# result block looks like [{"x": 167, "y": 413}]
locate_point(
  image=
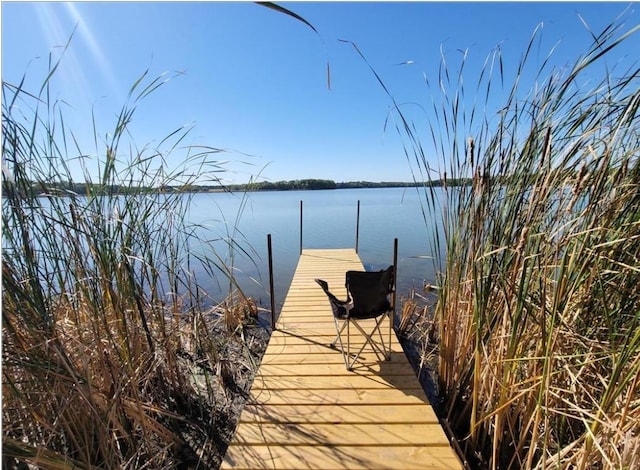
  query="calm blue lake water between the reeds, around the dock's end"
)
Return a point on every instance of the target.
[{"x": 329, "y": 221}]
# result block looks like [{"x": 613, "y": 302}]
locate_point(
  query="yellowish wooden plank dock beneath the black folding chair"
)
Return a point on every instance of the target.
[{"x": 307, "y": 411}]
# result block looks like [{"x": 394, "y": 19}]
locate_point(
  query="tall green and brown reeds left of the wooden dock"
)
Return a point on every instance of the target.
[{"x": 110, "y": 358}]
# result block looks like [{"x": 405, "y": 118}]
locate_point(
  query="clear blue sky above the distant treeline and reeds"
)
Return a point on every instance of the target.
[{"x": 252, "y": 81}]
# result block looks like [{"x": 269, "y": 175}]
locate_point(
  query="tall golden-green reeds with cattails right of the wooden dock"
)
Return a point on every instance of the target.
[{"x": 539, "y": 300}]
